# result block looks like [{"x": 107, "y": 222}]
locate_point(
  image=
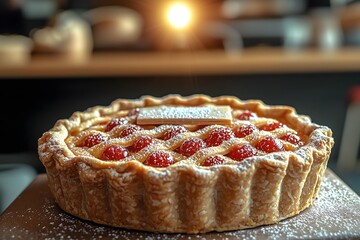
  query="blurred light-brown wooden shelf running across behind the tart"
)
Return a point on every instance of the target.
[{"x": 249, "y": 61}]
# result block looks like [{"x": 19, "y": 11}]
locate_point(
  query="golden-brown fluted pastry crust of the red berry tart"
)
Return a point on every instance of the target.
[{"x": 184, "y": 197}]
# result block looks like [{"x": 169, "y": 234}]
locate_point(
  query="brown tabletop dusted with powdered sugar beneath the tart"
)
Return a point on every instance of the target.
[{"x": 35, "y": 215}]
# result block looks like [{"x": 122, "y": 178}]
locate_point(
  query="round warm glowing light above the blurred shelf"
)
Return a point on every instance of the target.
[{"x": 179, "y": 15}]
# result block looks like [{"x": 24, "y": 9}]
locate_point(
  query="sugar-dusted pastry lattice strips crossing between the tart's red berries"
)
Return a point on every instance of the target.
[{"x": 156, "y": 132}]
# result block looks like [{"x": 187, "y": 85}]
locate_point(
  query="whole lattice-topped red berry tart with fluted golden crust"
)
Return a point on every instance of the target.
[{"x": 185, "y": 164}]
